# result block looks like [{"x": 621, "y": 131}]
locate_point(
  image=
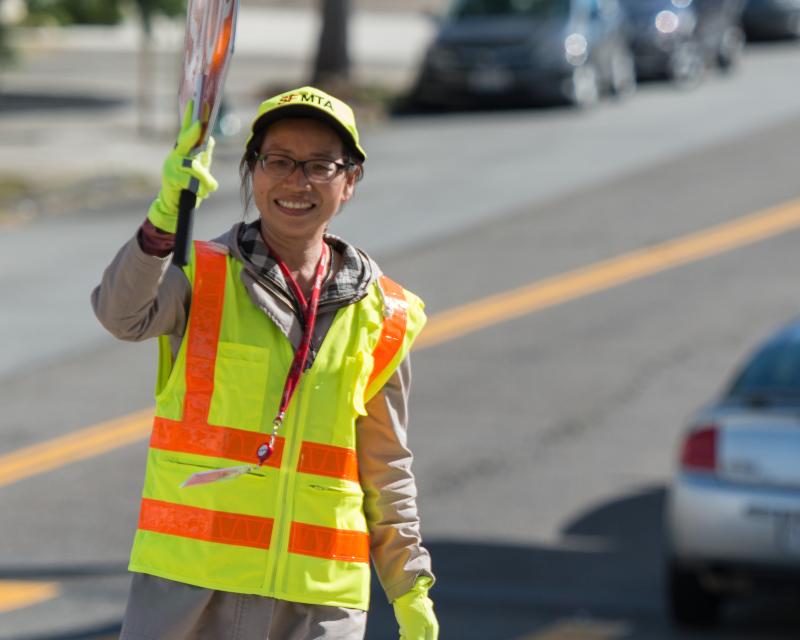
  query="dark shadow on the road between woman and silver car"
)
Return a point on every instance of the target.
[{"x": 608, "y": 569}]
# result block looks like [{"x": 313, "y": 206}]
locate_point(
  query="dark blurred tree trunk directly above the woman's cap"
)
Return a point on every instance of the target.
[{"x": 332, "y": 62}]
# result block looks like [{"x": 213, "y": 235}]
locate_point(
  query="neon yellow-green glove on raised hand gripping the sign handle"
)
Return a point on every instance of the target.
[{"x": 179, "y": 172}]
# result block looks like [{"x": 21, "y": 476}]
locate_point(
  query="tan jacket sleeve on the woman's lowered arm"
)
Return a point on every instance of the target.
[{"x": 384, "y": 461}]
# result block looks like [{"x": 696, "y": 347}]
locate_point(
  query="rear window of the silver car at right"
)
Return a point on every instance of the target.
[{"x": 774, "y": 369}]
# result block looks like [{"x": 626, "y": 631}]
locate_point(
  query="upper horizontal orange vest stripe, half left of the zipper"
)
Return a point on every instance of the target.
[{"x": 213, "y": 441}]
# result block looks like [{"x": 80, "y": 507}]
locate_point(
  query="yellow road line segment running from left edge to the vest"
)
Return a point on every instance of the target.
[{"x": 78, "y": 445}]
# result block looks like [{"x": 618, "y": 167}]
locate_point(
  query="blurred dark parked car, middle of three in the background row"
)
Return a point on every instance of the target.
[{"x": 680, "y": 39}]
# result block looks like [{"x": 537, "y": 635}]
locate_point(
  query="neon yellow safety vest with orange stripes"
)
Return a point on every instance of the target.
[{"x": 293, "y": 529}]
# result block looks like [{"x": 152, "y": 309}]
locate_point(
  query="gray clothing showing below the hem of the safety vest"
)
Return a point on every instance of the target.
[{"x": 160, "y": 609}]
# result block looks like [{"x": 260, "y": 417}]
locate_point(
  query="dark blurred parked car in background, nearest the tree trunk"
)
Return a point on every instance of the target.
[{"x": 527, "y": 50}]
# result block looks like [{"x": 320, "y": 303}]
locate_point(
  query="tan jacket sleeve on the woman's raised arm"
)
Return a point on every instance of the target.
[{"x": 142, "y": 296}]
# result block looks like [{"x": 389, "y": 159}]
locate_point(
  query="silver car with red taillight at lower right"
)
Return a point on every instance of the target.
[{"x": 733, "y": 507}]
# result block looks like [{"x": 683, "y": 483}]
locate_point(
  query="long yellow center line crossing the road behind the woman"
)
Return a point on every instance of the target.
[{"x": 452, "y": 324}]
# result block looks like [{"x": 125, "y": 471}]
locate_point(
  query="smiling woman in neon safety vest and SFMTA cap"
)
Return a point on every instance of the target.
[{"x": 283, "y": 370}]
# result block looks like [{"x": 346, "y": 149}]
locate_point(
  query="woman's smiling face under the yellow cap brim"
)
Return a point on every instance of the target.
[{"x": 293, "y": 208}]
